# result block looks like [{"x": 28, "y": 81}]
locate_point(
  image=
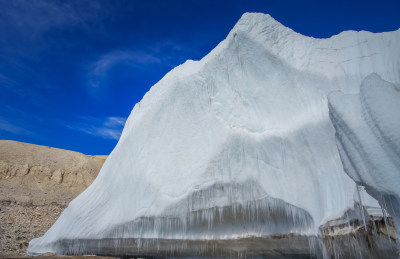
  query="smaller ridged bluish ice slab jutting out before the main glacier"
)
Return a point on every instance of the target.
[{"x": 368, "y": 138}]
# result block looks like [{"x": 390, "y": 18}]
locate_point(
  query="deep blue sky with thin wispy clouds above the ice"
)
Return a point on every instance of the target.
[{"x": 71, "y": 71}]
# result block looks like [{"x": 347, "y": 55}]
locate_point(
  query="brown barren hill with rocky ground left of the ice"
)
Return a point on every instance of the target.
[{"x": 36, "y": 184}]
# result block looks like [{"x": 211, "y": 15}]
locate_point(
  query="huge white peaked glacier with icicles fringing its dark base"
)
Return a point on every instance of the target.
[{"x": 234, "y": 155}]
